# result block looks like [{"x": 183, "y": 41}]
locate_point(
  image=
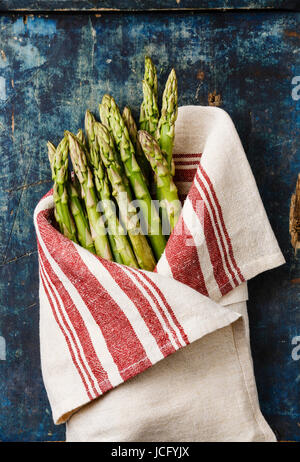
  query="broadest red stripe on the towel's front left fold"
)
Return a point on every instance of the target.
[{"x": 109, "y": 316}]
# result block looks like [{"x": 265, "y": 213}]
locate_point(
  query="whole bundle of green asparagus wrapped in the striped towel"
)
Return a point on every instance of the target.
[{"x": 110, "y": 204}]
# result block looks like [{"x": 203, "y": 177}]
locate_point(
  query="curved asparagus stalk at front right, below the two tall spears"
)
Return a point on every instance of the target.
[{"x": 166, "y": 188}]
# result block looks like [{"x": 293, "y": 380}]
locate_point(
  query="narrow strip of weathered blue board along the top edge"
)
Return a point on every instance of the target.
[{"x": 142, "y": 5}]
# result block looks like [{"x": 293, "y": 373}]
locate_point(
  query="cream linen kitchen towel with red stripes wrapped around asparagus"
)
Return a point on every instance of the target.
[{"x": 102, "y": 323}]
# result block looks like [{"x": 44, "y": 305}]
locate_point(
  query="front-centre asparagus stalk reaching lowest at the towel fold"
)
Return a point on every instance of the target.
[{"x": 128, "y": 212}]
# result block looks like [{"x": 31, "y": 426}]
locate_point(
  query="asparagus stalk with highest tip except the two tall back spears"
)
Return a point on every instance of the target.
[{"x": 112, "y": 116}]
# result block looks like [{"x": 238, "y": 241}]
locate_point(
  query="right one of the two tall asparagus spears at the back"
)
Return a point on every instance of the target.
[{"x": 166, "y": 125}]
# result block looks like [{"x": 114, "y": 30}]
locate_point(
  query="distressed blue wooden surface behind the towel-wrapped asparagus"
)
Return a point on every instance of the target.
[{"x": 54, "y": 66}]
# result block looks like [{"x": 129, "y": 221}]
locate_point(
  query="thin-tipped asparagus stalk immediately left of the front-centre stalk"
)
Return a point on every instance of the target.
[{"x": 121, "y": 248}]
